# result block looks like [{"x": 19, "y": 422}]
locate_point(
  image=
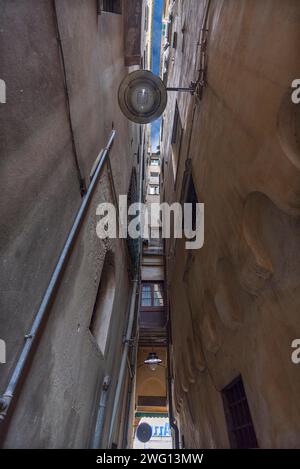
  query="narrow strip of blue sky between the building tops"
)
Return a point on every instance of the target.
[{"x": 157, "y": 30}]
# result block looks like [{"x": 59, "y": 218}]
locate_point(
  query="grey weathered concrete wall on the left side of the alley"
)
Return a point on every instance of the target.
[{"x": 56, "y": 404}]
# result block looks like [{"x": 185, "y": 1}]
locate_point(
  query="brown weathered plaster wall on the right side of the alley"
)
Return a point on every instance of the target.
[{"x": 235, "y": 303}]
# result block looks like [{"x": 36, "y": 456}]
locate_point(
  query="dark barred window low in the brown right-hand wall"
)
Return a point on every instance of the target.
[{"x": 238, "y": 417}]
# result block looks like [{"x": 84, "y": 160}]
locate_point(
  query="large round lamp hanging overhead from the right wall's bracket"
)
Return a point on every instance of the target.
[{"x": 142, "y": 96}]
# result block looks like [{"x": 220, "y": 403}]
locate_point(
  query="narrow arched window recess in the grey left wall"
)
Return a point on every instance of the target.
[{"x": 103, "y": 307}]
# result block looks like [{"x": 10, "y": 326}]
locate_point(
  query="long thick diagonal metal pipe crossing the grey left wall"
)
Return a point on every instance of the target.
[{"x": 41, "y": 313}]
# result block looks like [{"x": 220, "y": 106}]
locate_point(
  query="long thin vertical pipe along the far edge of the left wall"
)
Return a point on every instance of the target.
[{"x": 131, "y": 318}]
